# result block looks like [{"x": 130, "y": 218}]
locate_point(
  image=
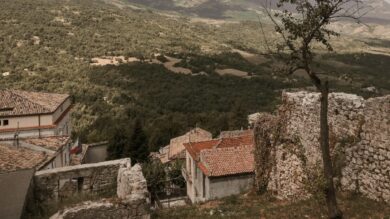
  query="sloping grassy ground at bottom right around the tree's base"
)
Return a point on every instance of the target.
[{"x": 253, "y": 206}]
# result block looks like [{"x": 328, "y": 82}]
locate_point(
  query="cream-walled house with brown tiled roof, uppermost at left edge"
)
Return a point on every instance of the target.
[{"x": 34, "y": 114}]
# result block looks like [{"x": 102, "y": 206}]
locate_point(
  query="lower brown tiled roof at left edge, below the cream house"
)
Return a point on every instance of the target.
[{"x": 12, "y": 159}]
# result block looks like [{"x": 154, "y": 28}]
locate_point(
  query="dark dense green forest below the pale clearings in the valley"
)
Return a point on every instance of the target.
[{"x": 169, "y": 104}]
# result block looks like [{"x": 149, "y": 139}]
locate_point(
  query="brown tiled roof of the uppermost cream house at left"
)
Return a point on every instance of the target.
[{"x": 16, "y": 102}]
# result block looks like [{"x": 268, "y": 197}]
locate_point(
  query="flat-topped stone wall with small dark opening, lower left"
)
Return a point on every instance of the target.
[{"x": 60, "y": 183}]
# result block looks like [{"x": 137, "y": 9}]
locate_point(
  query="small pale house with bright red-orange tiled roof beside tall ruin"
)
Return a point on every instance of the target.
[{"x": 218, "y": 168}]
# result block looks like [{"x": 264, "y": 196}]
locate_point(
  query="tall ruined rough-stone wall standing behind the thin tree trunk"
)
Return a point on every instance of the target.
[{"x": 359, "y": 143}]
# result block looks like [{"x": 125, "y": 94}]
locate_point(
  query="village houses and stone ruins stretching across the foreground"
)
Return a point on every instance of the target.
[{"x": 42, "y": 165}]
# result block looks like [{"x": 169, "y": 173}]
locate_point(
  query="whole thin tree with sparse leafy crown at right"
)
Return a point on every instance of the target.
[{"x": 301, "y": 25}]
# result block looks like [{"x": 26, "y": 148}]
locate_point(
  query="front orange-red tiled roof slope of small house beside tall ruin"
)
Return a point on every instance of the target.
[{"x": 227, "y": 161}]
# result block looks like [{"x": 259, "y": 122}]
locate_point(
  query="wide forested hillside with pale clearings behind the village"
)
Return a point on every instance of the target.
[{"x": 48, "y": 45}]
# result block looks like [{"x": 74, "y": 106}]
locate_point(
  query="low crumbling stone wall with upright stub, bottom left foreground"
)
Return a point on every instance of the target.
[{"x": 132, "y": 200}]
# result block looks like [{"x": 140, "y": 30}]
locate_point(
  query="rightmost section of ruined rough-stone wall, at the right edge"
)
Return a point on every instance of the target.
[{"x": 367, "y": 167}]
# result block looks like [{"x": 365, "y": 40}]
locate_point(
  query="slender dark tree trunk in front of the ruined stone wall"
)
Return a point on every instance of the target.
[{"x": 330, "y": 193}]
